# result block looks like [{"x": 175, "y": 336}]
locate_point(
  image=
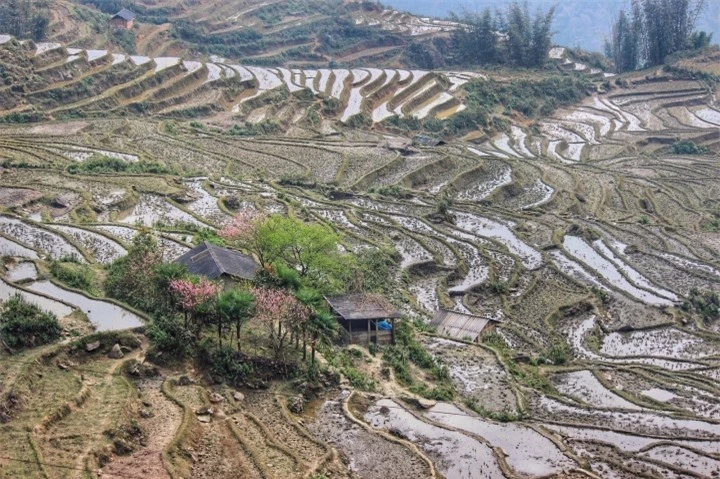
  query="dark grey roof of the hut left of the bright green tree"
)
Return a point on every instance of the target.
[{"x": 214, "y": 261}]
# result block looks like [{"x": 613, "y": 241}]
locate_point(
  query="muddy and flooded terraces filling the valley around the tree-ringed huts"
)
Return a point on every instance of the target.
[{"x": 583, "y": 235}]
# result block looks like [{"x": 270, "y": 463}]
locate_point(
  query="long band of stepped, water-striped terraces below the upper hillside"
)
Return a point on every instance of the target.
[{"x": 172, "y": 85}]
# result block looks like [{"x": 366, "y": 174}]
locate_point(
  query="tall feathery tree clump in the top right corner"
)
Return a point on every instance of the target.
[{"x": 651, "y": 30}]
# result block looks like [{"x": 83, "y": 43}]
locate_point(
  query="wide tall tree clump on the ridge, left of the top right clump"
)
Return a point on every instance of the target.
[{"x": 514, "y": 37}]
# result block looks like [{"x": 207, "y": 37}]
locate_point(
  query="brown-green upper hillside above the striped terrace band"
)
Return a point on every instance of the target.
[{"x": 262, "y": 32}]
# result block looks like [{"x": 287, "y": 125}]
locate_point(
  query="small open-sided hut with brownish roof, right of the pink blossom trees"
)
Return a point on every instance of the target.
[{"x": 365, "y": 318}]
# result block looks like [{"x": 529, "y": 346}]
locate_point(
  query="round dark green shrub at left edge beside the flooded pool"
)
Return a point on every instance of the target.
[{"x": 23, "y": 324}]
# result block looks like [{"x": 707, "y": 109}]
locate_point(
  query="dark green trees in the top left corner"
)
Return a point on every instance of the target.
[{"x": 25, "y": 19}]
